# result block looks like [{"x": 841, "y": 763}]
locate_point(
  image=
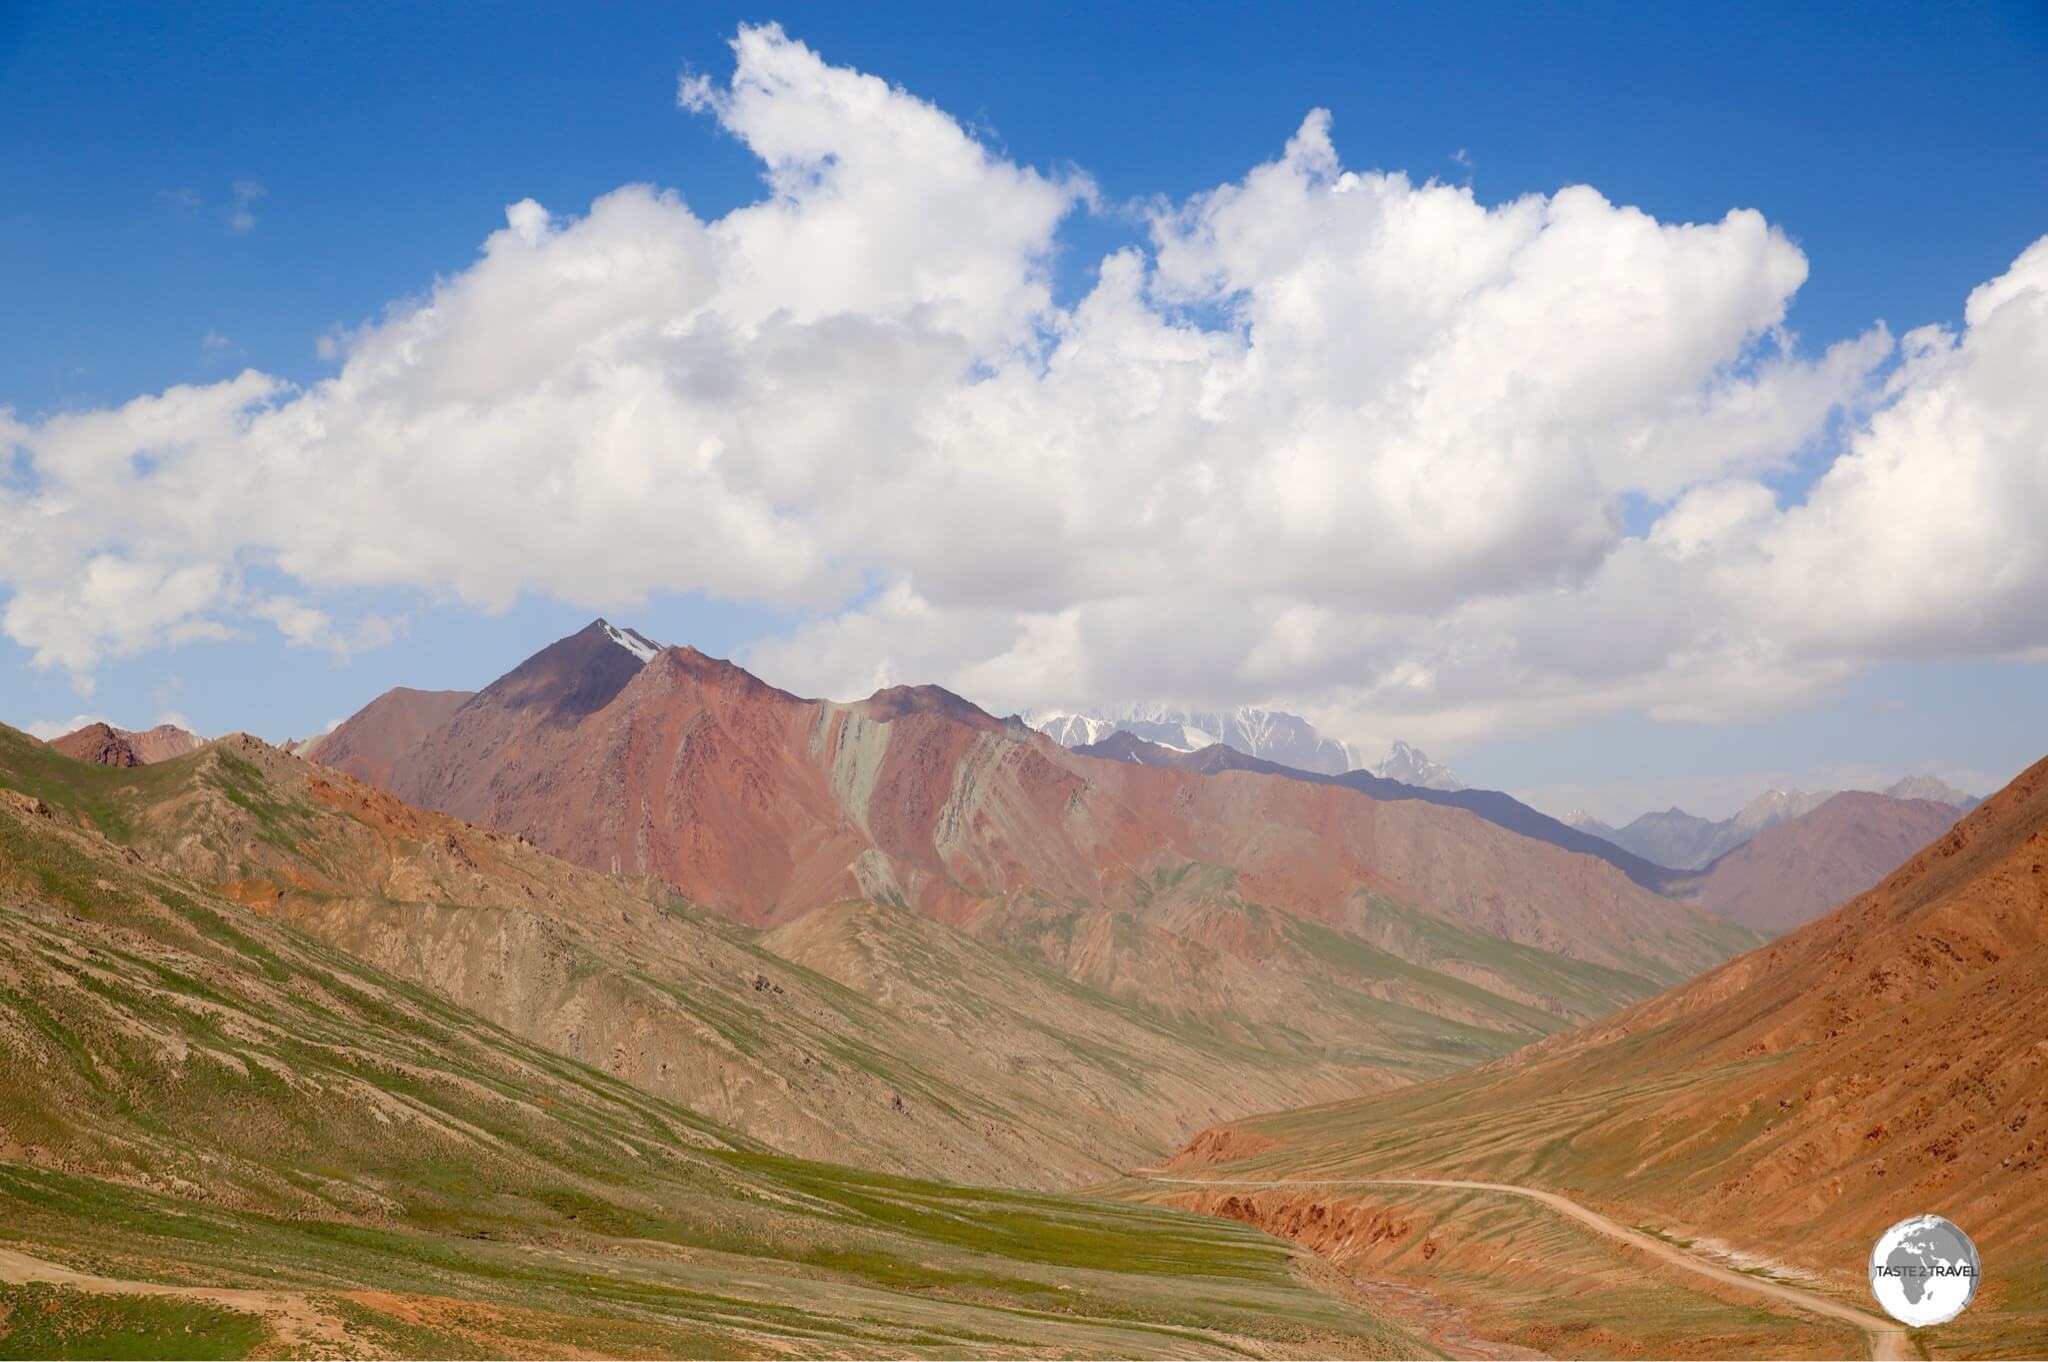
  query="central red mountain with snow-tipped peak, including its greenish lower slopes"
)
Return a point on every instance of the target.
[{"x": 1342, "y": 939}]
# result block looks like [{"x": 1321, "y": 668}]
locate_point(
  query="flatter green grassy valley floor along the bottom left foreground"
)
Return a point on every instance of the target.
[{"x": 93, "y": 1269}]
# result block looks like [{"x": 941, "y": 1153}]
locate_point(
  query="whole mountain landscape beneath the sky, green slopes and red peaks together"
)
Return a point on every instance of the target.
[{"x": 630, "y": 968}]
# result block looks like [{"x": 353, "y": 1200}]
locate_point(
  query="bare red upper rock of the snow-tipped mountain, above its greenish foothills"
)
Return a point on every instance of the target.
[{"x": 769, "y": 806}]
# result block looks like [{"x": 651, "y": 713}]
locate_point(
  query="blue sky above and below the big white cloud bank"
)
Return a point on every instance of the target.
[{"x": 206, "y": 189}]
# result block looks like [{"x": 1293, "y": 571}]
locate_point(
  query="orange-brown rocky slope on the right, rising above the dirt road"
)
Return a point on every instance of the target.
[{"x": 1793, "y": 1103}]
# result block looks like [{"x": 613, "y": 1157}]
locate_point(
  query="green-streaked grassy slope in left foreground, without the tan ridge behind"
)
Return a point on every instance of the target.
[{"x": 224, "y": 1136}]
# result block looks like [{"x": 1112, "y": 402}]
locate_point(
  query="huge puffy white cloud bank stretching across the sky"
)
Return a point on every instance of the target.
[{"x": 1338, "y": 439}]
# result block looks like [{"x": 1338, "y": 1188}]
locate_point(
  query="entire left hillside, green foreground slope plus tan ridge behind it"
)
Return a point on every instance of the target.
[{"x": 247, "y": 1111}]
